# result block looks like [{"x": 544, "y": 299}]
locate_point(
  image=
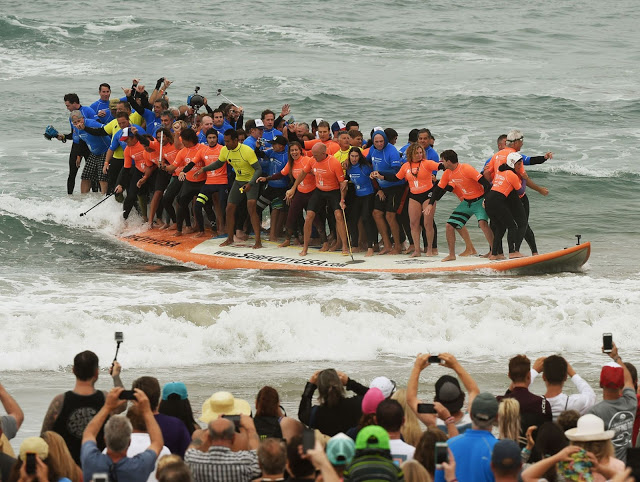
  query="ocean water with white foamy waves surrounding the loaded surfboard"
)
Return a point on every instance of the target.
[{"x": 565, "y": 74}]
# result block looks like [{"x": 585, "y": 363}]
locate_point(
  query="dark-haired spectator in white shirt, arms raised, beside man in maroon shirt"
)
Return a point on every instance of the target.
[{"x": 555, "y": 370}]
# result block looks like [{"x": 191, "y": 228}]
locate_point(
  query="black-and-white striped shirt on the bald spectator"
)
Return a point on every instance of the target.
[{"x": 220, "y": 464}]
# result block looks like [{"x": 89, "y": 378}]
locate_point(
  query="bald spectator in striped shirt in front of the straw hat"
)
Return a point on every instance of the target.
[{"x": 210, "y": 456}]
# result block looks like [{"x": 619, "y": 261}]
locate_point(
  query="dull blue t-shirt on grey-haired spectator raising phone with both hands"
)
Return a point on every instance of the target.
[{"x": 129, "y": 469}]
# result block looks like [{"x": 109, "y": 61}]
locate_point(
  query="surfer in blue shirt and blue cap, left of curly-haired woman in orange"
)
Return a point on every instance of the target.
[{"x": 386, "y": 159}]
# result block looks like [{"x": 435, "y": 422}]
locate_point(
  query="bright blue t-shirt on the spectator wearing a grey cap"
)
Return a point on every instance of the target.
[{"x": 472, "y": 451}]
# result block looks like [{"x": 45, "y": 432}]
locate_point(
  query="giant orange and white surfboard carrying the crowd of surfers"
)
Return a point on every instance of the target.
[{"x": 208, "y": 252}]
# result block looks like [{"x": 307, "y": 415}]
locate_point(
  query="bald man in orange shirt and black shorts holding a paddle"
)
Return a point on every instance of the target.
[{"x": 331, "y": 189}]
